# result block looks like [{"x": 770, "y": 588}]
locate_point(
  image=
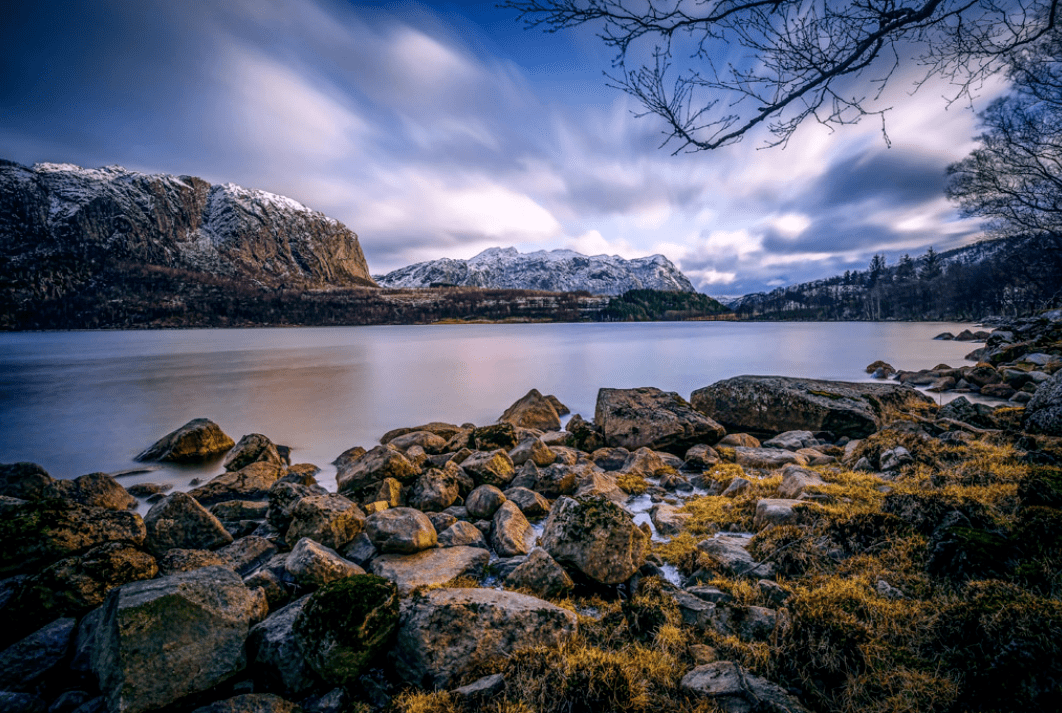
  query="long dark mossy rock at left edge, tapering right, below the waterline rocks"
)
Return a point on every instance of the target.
[{"x": 36, "y": 534}]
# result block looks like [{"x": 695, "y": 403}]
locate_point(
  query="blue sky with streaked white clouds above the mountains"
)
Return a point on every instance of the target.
[{"x": 441, "y": 129}]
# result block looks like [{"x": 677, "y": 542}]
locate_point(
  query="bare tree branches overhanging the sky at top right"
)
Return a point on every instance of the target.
[{"x": 795, "y": 61}]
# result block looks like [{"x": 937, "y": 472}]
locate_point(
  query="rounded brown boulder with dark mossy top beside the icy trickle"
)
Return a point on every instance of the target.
[{"x": 597, "y": 538}]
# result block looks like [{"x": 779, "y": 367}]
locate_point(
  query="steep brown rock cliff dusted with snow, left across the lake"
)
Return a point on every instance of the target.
[{"x": 62, "y": 225}]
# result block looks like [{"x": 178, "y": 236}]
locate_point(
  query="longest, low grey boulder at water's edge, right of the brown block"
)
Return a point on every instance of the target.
[{"x": 776, "y": 404}]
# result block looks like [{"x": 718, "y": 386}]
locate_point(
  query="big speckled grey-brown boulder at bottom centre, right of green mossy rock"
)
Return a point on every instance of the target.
[{"x": 452, "y": 632}]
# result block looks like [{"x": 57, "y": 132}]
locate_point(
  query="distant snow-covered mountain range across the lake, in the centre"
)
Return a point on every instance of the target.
[{"x": 554, "y": 271}]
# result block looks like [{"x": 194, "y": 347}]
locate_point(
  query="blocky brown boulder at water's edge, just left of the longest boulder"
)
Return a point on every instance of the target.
[{"x": 648, "y": 417}]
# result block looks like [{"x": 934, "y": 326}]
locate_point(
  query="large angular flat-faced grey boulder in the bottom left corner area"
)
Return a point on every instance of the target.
[{"x": 165, "y": 639}]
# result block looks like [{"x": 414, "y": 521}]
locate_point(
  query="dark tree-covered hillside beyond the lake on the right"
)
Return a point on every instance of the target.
[{"x": 1016, "y": 277}]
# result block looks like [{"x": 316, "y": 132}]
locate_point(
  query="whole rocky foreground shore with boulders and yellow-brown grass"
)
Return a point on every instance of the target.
[{"x": 769, "y": 545}]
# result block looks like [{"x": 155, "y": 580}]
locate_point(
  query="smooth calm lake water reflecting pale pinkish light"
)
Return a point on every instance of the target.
[{"x": 90, "y": 401}]
